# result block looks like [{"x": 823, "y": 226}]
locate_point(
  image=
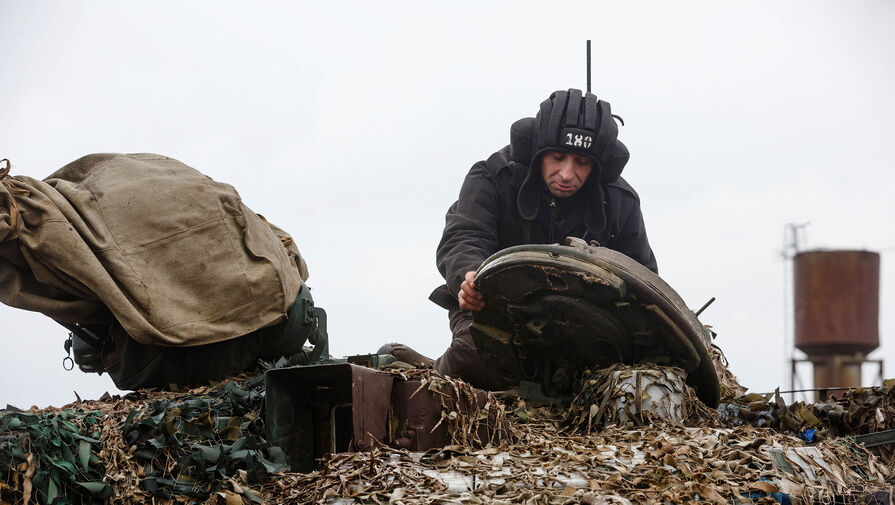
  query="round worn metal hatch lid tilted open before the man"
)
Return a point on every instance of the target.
[{"x": 553, "y": 310}]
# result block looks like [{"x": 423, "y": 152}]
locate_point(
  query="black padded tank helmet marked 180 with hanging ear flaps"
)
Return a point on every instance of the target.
[{"x": 576, "y": 123}]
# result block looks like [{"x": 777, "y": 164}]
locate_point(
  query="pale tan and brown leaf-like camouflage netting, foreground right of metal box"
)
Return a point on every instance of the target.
[{"x": 668, "y": 463}]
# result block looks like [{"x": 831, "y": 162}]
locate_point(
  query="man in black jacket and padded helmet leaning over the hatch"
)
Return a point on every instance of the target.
[{"x": 559, "y": 177}]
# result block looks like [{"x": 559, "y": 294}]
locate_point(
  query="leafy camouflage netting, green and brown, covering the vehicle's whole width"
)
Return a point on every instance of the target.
[{"x": 207, "y": 445}]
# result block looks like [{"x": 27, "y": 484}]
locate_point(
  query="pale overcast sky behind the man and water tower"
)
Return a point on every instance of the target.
[{"x": 352, "y": 125}]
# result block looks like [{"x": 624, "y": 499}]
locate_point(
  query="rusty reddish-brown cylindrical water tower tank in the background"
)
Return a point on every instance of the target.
[{"x": 836, "y": 302}]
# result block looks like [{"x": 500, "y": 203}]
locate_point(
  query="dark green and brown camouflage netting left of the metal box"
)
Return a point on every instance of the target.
[{"x": 143, "y": 446}]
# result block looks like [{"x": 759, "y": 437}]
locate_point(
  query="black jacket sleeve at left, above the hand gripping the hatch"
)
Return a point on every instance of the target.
[{"x": 470, "y": 230}]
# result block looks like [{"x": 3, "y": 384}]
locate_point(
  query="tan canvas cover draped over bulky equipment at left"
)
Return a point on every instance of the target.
[{"x": 174, "y": 256}]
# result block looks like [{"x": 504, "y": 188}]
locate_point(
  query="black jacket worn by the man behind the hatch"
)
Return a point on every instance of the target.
[{"x": 486, "y": 219}]
